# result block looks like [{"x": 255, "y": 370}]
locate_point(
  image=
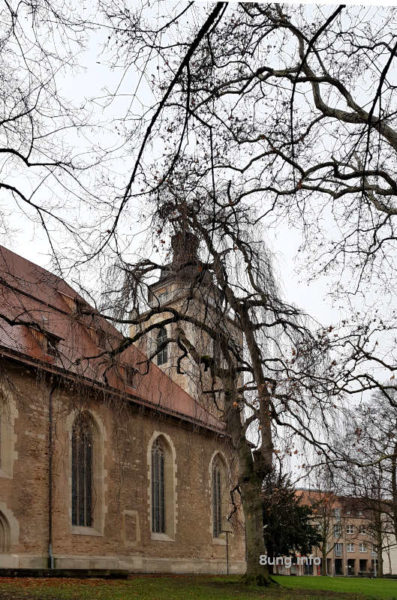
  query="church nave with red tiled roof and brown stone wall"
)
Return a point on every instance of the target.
[{"x": 107, "y": 460}]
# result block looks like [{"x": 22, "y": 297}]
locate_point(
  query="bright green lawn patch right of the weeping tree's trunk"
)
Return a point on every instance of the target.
[{"x": 385, "y": 589}]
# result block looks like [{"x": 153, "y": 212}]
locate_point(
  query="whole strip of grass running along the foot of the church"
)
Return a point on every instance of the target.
[{"x": 195, "y": 588}]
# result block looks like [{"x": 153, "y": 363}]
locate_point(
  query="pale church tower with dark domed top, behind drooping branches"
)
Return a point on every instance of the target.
[{"x": 186, "y": 285}]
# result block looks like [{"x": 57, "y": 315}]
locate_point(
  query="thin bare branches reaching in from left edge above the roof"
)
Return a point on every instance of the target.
[{"x": 44, "y": 157}]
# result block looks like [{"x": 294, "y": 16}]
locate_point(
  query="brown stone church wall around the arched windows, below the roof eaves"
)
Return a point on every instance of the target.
[{"x": 121, "y": 534}]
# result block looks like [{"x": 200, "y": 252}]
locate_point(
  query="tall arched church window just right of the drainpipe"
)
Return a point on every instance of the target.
[{"x": 82, "y": 471}]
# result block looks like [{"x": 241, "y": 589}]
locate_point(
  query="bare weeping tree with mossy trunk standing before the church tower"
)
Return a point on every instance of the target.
[{"x": 265, "y": 364}]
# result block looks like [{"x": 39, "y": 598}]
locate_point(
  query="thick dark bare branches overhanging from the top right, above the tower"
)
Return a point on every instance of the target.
[{"x": 259, "y": 113}]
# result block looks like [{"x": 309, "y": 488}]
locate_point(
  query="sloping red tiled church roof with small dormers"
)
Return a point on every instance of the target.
[{"x": 45, "y": 323}]
